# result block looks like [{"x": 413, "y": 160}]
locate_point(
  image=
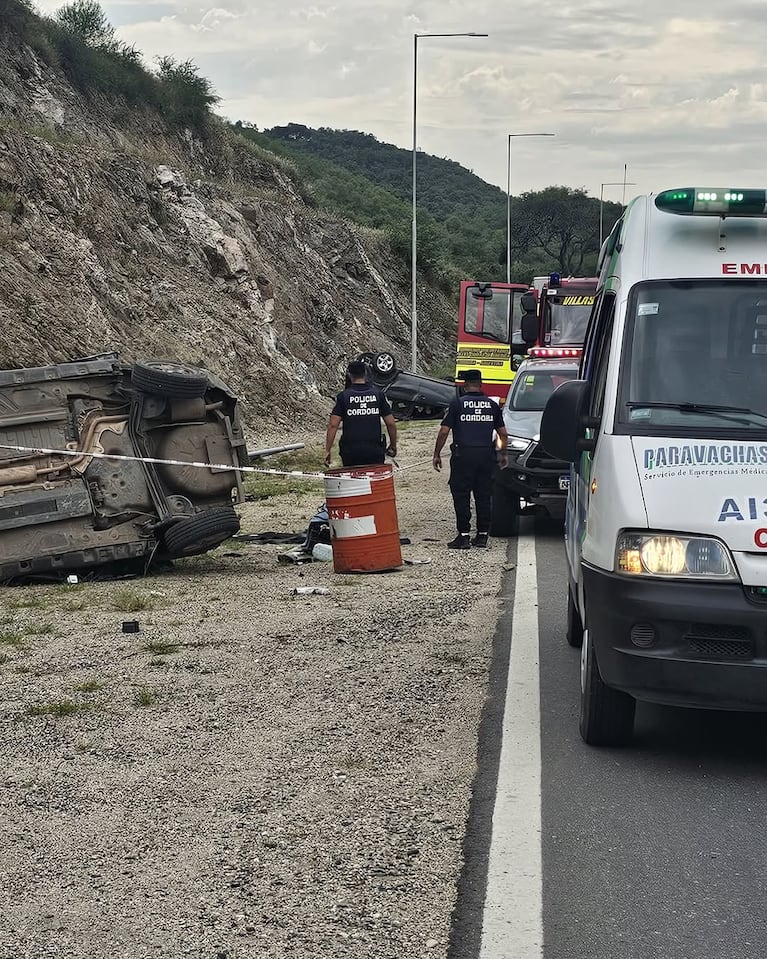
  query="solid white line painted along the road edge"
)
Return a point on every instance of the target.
[{"x": 512, "y": 924}]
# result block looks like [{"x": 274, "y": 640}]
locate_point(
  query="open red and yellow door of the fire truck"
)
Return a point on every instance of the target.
[{"x": 489, "y": 332}]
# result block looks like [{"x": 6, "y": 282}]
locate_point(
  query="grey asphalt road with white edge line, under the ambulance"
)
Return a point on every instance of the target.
[{"x": 656, "y": 851}]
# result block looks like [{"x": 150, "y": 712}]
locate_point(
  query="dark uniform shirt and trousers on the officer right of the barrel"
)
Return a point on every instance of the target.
[{"x": 472, "y": 417}]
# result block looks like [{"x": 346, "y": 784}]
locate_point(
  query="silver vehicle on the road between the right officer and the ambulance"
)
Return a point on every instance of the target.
[{"x": 532, "y": 481}]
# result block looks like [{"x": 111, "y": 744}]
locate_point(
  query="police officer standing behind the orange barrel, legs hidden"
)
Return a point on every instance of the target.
[{"x": 360, "y": 408}]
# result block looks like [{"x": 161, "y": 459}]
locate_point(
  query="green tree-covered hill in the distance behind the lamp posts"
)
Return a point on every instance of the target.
[{"x": 461, "y": 218}]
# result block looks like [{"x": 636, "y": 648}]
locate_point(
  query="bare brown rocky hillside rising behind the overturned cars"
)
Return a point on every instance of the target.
[{"x": 119, "y": 233}]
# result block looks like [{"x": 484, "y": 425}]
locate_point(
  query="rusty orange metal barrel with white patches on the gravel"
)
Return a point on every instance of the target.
[{"x": 363, "y": 519}]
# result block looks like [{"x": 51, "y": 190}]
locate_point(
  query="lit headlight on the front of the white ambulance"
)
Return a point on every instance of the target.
[{"x": 687, "y": 557}]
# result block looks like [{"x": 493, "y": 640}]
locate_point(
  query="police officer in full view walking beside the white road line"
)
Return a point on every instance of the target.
[{"x": 473, "y": 417}]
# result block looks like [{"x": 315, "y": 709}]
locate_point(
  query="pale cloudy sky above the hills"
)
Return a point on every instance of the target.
[{"x": 663, "y": 93}]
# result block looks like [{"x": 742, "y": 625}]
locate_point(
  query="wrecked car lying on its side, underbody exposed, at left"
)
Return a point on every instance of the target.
[{"x": 64, "y": 506}]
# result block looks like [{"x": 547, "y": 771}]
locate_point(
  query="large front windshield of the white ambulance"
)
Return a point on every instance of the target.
[{"x": 697, "y": 356}]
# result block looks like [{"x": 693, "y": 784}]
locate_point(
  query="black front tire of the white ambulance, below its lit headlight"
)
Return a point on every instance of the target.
[{"x": 607, "y": 715}]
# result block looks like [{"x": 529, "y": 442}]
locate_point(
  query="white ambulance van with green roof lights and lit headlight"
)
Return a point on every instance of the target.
[{"x": 666, "y": 431}]
